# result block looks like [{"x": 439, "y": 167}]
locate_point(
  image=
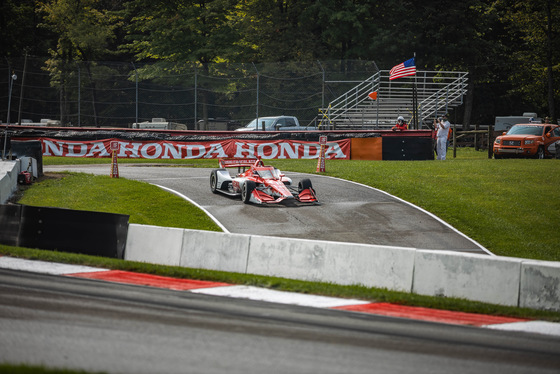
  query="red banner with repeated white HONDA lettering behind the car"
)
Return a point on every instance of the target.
[{"x": 238, "y": 148}]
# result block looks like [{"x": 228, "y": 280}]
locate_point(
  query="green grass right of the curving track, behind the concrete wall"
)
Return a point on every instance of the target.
[{"x": 509, "y": 206}]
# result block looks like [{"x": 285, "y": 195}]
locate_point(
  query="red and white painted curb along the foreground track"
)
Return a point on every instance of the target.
[{"x": 282, "y": 297}]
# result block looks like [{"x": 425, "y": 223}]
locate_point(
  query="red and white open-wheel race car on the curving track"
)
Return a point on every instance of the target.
[{"x": 258, "y": 183}]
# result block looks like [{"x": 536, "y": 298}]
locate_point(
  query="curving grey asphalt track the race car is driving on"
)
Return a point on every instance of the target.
[{"x": 349, "y": 212}]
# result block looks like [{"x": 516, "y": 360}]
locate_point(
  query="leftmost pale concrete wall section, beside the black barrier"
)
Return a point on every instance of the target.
[{"x": 153, "y": 244}]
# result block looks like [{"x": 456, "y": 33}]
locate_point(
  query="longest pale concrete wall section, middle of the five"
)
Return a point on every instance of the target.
[{"x": 340, "y": 263}]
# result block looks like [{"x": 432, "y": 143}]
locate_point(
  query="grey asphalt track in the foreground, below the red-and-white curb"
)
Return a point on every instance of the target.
[{"x": 72, "y": 323}]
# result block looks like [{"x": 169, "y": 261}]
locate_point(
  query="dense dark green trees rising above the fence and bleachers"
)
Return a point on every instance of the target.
[{"x": 510, "y": 47}]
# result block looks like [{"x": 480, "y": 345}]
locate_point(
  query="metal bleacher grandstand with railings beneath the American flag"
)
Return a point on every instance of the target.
[{"x": 437, "y": 93}]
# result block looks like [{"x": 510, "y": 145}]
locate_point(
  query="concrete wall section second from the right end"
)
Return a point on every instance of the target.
[{"x": 475, "y": 277}]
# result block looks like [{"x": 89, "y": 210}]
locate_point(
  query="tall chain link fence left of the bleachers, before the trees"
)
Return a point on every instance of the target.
[{"x": 117, "y": 94}]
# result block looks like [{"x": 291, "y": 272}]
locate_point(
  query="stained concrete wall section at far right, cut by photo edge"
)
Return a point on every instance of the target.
[{"x": 540, "y": 285}]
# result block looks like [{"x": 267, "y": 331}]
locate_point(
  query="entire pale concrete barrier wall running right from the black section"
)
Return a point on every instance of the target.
[{"x": 497, "y": 280}]
